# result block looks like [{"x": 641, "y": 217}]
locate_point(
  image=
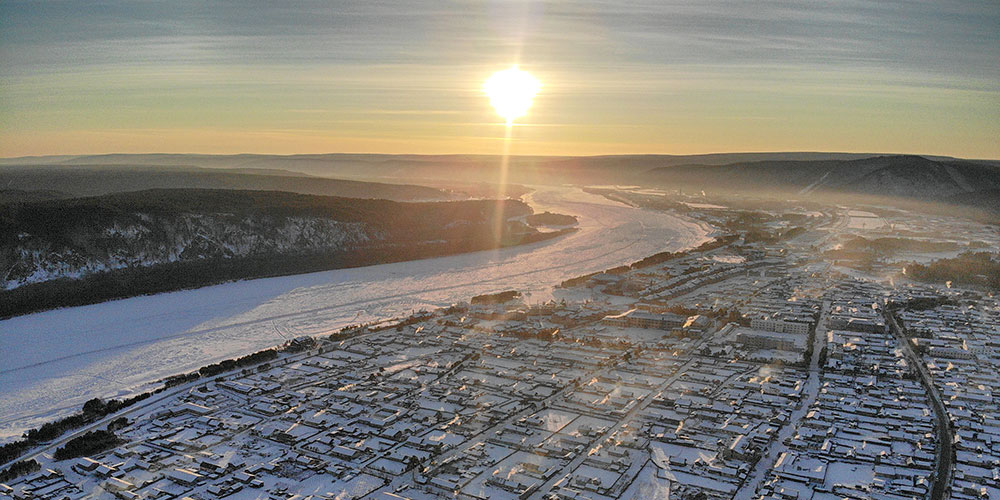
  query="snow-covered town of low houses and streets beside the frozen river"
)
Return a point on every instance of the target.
[{"x": 730, "y": 371}]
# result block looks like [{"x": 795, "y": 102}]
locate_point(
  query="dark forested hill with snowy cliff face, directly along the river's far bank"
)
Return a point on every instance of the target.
[{"x": 84, "y": 250}]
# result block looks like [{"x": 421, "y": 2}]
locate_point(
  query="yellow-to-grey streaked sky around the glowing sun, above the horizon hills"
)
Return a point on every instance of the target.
[{"x": 673, "y": 76}]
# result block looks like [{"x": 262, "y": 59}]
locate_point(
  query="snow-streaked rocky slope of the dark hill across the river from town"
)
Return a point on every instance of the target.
[{"x": 143, "y": 239}]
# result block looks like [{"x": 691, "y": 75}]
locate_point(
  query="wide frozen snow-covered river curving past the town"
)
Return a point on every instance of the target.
[{"x": 51, "y": 362}]
